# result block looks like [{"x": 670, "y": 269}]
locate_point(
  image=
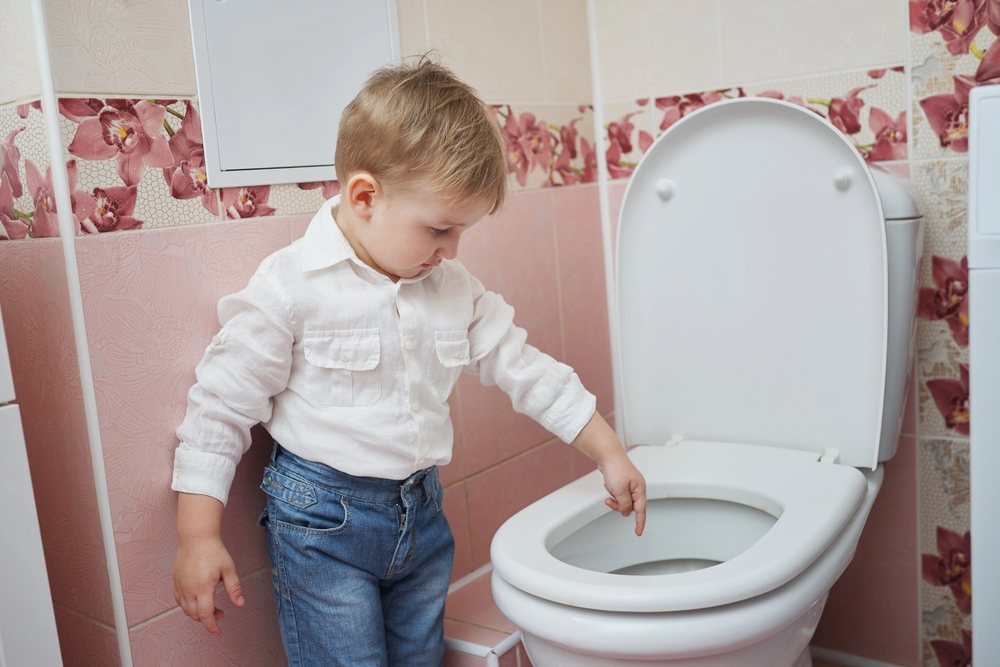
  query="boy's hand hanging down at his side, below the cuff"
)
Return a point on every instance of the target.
[{"x": 202, "y": 561}]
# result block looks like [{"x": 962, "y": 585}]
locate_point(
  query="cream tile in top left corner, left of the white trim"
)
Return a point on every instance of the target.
[{"x": 19, "y": 75}]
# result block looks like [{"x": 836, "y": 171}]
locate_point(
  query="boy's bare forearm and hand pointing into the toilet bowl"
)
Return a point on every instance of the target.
[{"x": 621, "y": 478}]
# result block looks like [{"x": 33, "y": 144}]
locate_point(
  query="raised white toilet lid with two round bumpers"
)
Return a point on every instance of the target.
[{"x": 752, "y": 285}]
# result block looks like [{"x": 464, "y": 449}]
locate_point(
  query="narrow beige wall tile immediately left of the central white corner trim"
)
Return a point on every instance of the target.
[{"x": 565, "y": 44}]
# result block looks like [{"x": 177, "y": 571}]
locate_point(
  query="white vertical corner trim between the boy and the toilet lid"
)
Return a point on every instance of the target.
[{"x": 607, "y": 237}]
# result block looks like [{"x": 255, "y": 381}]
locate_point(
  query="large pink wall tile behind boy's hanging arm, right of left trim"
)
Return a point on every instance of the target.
[{"x": 150, "y": 303}]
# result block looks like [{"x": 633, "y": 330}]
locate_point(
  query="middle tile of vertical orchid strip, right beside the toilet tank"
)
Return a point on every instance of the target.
[{"x": 943, "y": 329}]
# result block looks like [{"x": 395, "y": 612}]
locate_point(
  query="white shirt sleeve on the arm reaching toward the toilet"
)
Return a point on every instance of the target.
[{"x": 540, "y": 387}]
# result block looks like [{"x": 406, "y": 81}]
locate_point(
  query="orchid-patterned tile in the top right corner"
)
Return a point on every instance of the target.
[{"x": 953, "y": 47}]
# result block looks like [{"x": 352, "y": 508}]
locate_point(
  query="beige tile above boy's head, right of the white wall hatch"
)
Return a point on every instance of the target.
[{"x": 494, "y": 45}]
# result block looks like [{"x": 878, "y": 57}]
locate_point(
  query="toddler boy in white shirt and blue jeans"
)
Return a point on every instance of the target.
[{"x": 346, "y": 345}]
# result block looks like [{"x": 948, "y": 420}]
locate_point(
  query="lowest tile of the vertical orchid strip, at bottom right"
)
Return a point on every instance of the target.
[{"x": 945, "y": 559}]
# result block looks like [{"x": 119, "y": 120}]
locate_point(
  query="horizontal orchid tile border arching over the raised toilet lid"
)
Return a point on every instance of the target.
[{"x": 869, "y": 107}]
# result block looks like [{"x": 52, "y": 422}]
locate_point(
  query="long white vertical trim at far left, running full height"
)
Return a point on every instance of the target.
[{"x": 67, "y": 234}]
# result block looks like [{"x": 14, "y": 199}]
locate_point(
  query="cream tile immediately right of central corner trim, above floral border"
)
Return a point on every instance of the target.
[{"x": 653, "y": 46}]
